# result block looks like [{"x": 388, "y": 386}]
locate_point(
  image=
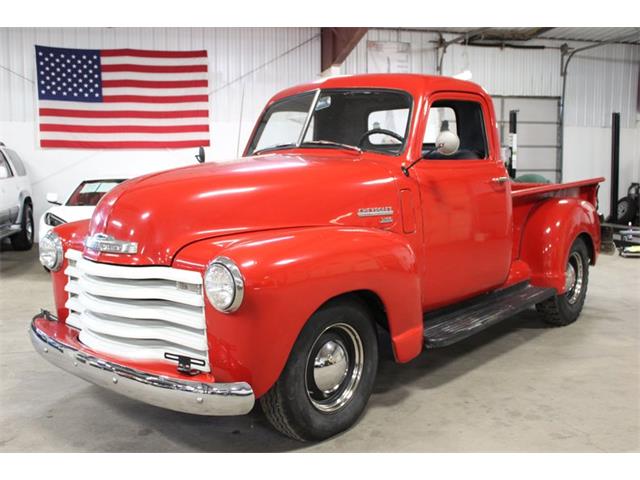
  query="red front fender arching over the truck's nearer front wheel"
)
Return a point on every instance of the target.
[{"x": 288, "y": 275}]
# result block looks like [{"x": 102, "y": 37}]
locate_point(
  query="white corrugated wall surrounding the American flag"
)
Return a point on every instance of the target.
[{"x": 244, "y": 63}]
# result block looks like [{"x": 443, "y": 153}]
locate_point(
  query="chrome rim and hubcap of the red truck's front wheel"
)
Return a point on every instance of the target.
[{"x": 334, "y": 368}]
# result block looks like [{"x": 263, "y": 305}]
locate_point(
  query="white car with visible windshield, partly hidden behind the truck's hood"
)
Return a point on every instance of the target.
[{"x": 79, "y": 205}]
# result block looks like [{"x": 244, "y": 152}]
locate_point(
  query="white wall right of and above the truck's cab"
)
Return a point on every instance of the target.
[{"x": 600, "y": 81}]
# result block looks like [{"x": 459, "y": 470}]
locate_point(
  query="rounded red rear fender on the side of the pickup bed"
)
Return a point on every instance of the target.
[{"x": 549, "y": 233}]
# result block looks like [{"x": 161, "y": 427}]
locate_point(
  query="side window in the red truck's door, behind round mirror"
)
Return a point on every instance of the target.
[{"x": 463, "y": 120}]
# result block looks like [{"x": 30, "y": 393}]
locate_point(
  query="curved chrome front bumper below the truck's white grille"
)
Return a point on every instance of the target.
[{"x": 167, "y": 392}]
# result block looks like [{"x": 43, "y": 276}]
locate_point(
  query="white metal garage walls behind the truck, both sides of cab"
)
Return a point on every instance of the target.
[{"x": 261, "y": 61}]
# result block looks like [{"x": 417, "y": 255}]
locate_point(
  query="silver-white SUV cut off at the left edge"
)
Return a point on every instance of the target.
[{"x": 16, "y": 205}]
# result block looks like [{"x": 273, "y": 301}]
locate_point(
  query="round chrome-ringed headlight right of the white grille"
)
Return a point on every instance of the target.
[{"x": 224, "y": 285}]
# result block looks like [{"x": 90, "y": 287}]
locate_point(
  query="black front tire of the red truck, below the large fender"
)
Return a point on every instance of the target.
[{"x": 294, "y": 405}]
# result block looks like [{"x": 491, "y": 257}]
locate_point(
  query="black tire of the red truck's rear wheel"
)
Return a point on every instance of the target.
[{"x": 564, "y": 309}]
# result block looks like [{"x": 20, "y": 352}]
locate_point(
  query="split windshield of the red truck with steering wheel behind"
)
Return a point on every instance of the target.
[{"x": 367, "y": 119}]
